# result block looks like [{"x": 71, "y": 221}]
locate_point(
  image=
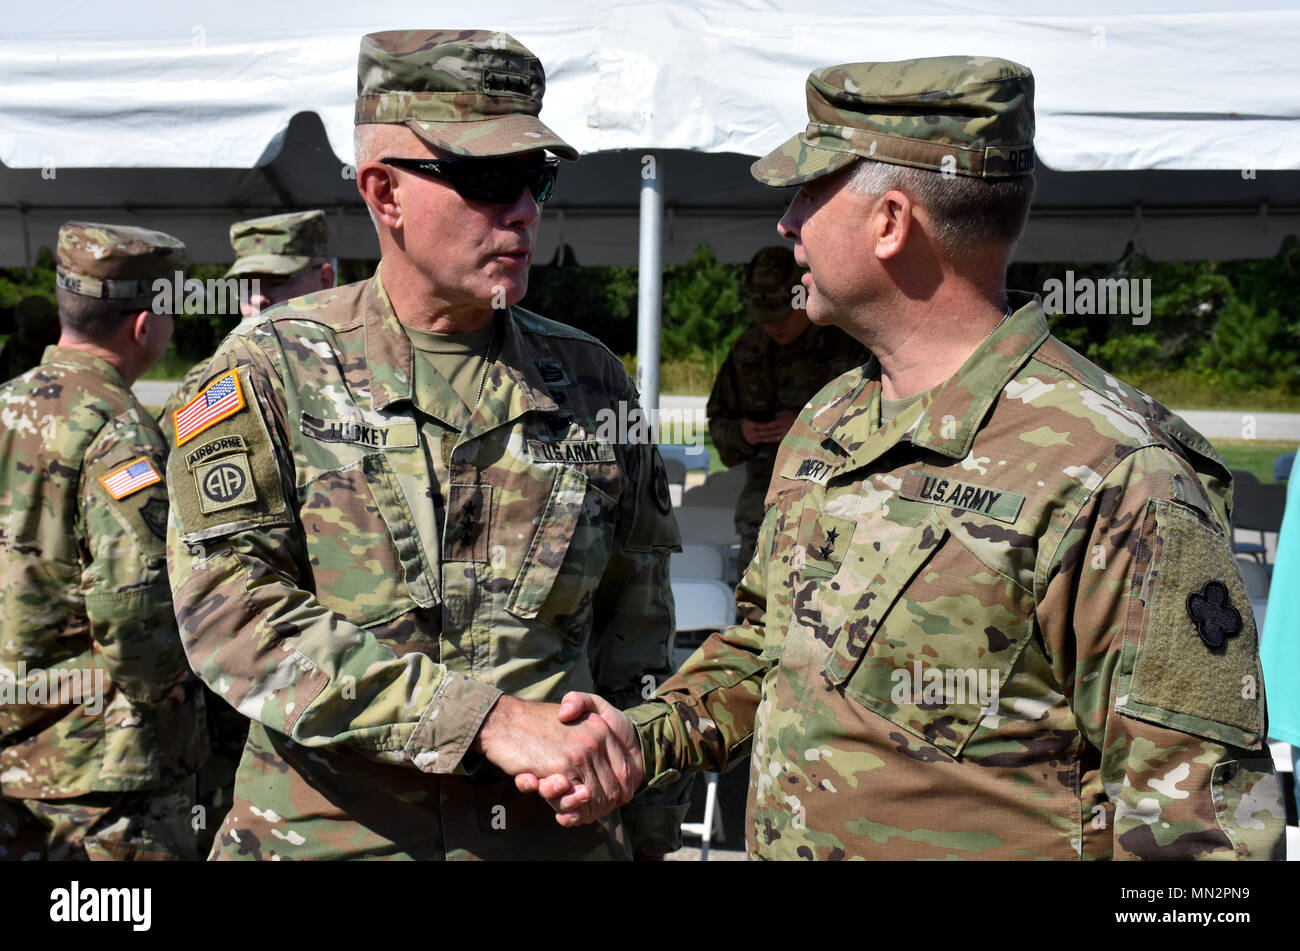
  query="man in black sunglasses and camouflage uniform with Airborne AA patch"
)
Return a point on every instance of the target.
[{"x": 401, "y": 523}]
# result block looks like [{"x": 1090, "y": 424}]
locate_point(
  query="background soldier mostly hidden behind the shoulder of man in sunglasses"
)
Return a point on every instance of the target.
[{"x": 287, "y": 255}]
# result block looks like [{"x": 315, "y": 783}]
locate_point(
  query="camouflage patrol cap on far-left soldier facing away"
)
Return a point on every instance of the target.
[{"x": 115, "y": 262}]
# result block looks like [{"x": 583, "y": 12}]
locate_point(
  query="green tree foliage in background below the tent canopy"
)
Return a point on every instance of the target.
[{"x": 1220, "y": 331}]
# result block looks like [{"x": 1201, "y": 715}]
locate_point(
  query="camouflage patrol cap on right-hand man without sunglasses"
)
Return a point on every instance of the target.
[{"x": 960, "y": 115}]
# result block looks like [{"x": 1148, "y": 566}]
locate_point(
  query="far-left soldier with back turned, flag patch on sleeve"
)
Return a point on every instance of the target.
[{"x": 101, "y": 722}]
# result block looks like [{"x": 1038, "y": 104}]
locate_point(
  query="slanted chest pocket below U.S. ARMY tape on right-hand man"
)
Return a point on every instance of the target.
[{"x": 931, "y": 639}]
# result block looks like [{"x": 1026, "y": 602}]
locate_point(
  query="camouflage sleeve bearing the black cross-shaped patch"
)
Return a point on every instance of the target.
[{"x": 1147, "y": 620}]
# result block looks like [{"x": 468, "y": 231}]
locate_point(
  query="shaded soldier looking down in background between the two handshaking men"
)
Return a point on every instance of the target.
[{"x": 769, "y": 375}]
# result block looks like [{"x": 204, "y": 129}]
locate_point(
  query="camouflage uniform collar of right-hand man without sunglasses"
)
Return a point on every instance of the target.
[{"x": 960, "y": 403}]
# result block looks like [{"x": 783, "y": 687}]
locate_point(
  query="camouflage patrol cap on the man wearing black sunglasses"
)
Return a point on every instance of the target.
[{"x": 470, "y": 93}]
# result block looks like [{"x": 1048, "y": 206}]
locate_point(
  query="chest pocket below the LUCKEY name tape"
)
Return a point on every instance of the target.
[{"x": 365, "y": 553}]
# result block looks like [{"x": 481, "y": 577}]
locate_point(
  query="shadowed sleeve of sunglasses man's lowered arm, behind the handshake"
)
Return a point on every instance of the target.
[{"x": 634, "y": 627}]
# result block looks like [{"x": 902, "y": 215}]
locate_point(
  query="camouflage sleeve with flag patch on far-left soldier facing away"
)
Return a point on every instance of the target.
[{"x": 124, "y": 579}]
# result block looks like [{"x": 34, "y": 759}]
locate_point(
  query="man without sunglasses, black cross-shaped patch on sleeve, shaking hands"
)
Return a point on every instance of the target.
[{"x": 995, "y": 611}]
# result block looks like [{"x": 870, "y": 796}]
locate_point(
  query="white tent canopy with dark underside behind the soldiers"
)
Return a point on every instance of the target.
[{"x": 1180, "y": 127}]
